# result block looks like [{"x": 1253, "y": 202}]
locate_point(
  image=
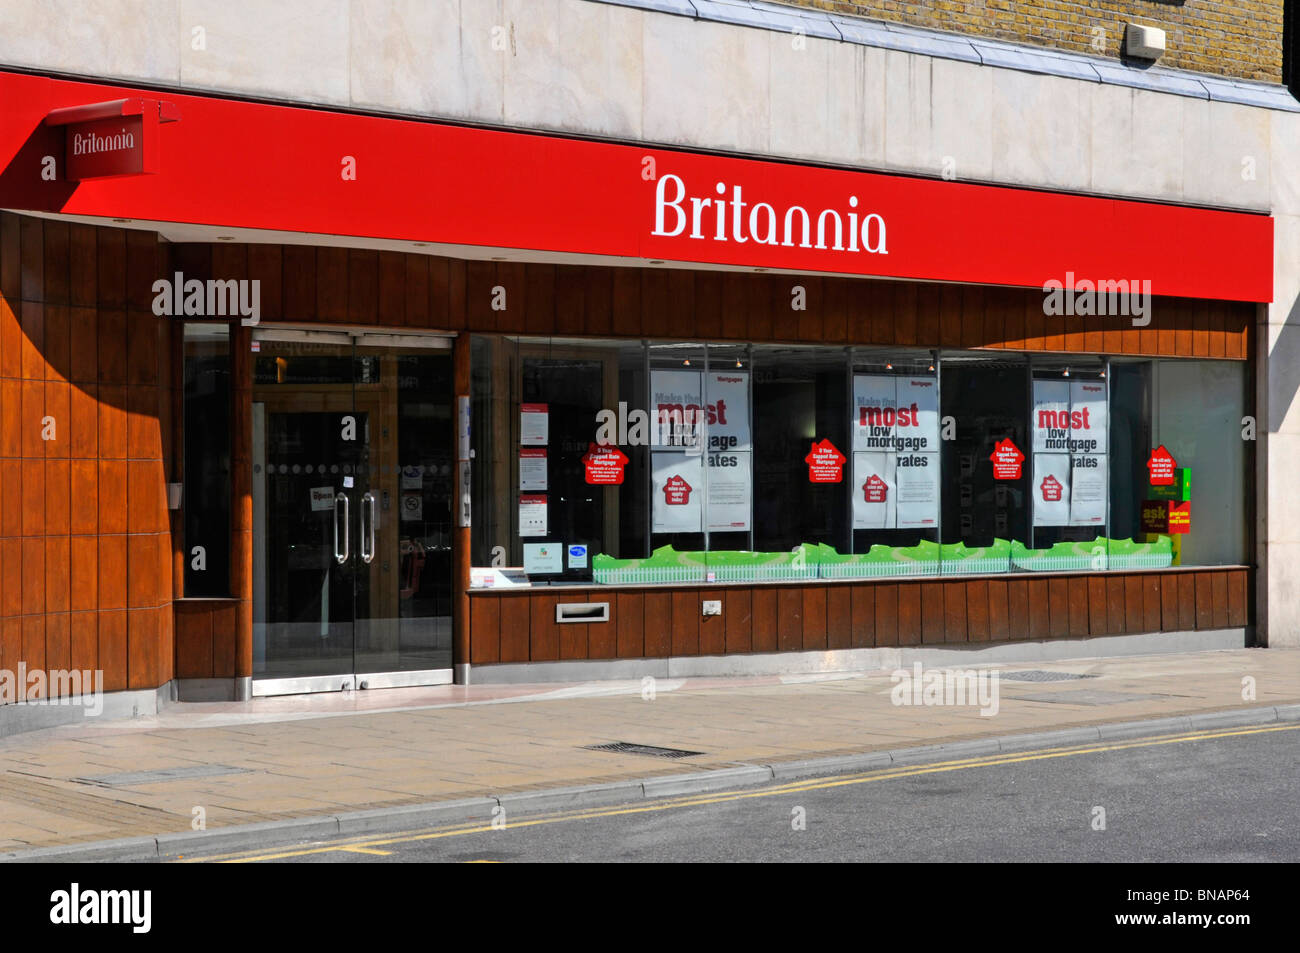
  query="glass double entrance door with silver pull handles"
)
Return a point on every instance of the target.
[{"x": 352, "y": 512}]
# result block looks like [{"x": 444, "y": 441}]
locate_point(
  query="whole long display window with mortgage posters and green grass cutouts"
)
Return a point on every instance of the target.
[{"x": 760, "y": 462}]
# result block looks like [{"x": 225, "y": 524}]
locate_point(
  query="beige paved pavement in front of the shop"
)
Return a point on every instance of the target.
[{"x": 250, "y": 773}]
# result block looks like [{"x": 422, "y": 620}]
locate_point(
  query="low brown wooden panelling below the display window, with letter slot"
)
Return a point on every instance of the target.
[{"x": 658, "y": 622}]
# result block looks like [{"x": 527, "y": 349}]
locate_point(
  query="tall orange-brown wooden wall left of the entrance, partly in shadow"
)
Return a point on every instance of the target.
[{"x": 85, "y": 443}]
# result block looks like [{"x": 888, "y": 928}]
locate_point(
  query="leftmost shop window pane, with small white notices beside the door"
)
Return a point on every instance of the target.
[{"x": 543, "y": 501}]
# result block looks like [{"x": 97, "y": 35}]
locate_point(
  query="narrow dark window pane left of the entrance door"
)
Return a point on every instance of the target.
[{"x": 206, "y": 488}]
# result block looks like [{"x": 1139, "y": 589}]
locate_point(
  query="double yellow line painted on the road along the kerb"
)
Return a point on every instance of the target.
[{"x": 376, "y": 846}]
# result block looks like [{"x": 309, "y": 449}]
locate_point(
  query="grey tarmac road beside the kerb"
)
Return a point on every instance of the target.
[{"x": 1219, "y": 796}]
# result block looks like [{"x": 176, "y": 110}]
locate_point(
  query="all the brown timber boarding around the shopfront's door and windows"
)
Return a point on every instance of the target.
[{"x": 92, "y": 560}]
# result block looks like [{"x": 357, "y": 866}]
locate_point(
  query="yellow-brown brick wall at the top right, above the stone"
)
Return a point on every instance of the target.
[{"x": 1234, "y": 40}]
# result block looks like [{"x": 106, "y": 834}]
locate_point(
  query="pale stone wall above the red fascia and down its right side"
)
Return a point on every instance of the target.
[{"x": 595, "y": 70}]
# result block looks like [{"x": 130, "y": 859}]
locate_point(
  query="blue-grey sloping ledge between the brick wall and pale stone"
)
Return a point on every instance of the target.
[{"x": 989, "y": 53}]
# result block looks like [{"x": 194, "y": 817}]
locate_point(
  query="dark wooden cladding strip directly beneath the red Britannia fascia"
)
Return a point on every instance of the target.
[{"x": 343, "y": 287}]
